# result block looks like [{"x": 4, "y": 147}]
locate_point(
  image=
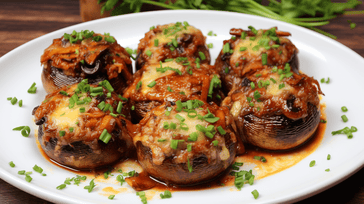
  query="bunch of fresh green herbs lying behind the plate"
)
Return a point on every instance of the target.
[{"x": 290, "y": 11}]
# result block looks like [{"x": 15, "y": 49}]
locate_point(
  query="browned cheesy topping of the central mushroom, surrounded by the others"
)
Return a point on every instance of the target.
[{"x": 177, "y": 79}]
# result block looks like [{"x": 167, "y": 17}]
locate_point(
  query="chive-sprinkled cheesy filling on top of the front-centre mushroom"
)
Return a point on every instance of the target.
[{"x": 183, "y": 132}]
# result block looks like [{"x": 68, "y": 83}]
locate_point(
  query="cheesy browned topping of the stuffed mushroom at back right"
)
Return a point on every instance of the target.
[{"x": 243, "y": 54}]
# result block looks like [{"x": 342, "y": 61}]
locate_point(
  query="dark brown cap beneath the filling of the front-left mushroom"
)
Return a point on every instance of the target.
[{"x": 79, "y": 155}]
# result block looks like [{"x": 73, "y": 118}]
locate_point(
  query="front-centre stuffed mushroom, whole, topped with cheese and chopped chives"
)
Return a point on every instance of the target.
[{"x": 187, "y": 143}]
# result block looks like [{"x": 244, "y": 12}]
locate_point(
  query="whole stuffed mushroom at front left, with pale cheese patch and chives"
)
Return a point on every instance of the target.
[{"x": 84, "y": 126}]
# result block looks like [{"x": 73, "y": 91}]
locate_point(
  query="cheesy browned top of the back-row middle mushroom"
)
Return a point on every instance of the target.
[{"x": 171, "y": 41}]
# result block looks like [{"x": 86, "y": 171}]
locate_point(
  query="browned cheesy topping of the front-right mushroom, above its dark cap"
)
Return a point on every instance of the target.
[{"x": 265, "y": 92}]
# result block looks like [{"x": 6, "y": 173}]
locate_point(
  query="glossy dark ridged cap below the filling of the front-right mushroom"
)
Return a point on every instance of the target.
[{"x": 278, "y": 132}]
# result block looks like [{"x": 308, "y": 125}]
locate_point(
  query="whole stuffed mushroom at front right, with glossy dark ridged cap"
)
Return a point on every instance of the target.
[{"x": 275, "y": 108}]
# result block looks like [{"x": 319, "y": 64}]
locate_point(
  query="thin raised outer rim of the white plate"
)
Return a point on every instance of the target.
[{"x": 54, "y": 197}]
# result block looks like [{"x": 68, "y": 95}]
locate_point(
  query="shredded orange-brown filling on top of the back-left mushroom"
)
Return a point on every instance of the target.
[{"x": 83, "y": 53}]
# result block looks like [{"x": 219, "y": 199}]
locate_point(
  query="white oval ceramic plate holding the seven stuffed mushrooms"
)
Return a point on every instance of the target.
[{"x": 319, "y": 57}]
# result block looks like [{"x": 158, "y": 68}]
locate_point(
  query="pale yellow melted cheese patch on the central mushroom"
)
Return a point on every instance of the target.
[{"x": 150, "y": 74}]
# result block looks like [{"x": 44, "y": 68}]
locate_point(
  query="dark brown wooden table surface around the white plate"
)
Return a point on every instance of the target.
[{"x": 22, "y": 21}]
